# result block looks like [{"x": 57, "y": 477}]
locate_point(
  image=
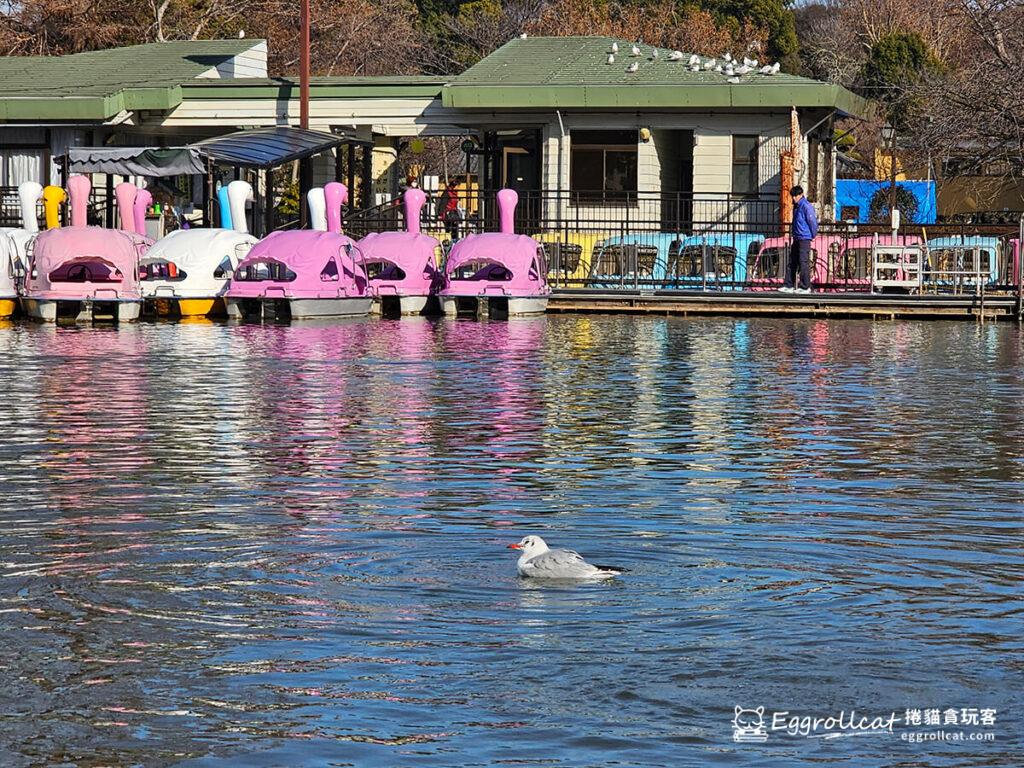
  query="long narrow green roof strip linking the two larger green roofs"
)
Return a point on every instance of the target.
[{"x": 398, "y": 87}]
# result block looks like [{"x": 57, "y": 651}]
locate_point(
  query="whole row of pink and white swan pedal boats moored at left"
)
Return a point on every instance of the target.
[{"x": 93, "y": 273}]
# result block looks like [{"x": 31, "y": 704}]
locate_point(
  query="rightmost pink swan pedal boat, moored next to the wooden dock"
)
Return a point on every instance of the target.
[{"x": 496, "y": 274}]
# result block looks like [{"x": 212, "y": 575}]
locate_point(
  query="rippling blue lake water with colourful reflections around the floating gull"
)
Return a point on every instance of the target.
[{"x": 271, "y": 546}]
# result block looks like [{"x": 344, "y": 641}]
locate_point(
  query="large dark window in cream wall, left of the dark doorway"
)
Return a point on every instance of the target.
[{"x": 604, "y": 166}]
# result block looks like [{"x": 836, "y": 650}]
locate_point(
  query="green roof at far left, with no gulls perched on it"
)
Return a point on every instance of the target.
[{"x": 100, "y": 84}]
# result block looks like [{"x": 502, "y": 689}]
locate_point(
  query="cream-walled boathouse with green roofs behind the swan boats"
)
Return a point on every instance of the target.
[{"x": 549, "y": 116}]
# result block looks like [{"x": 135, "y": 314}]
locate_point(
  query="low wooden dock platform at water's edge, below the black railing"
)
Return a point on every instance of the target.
[{"x": 749, "y": 304}]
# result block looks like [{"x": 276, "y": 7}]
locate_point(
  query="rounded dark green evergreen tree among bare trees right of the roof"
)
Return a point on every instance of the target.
[{"x": 897, "y": 64}]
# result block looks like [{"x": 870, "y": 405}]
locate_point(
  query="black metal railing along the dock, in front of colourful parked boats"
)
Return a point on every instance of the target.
[{"x": 706, "y": 242}]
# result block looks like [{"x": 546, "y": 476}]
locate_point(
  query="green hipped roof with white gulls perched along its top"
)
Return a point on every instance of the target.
[{"x": 574, "y": 72}]
